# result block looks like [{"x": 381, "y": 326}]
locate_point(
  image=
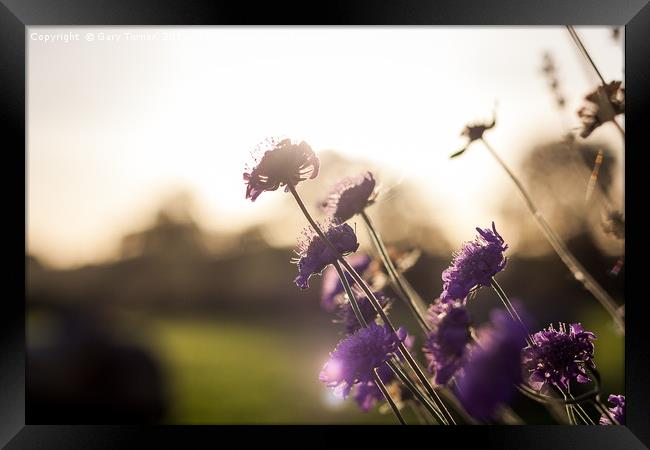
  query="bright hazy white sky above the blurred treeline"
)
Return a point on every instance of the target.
[{"x": 114, "y": 124}]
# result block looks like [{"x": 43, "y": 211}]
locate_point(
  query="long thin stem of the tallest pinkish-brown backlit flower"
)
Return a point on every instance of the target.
[{"x": 371, "y": 297}]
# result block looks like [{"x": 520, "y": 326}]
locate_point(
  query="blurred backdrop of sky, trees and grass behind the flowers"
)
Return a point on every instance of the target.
[{"x": 157, "y": 293}]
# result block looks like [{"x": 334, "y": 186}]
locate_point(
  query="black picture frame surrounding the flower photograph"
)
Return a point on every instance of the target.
[{"x": 17, "y": 15}]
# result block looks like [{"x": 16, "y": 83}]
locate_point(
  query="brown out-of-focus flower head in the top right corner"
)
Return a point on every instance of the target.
[{"x": 603, "y": 105}]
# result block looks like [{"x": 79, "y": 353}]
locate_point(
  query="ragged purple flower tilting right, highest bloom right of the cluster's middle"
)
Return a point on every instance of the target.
[{"x": 475, "y": 265}]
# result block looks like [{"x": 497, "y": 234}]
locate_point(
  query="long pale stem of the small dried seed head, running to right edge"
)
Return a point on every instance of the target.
[{"x": 578, "y": 271}]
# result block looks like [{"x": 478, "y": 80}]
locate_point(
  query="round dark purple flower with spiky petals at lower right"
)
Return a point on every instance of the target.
[{"x": 557, "y": 357}]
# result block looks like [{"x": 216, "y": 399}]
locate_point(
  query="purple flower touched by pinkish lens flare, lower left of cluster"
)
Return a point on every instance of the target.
[{"x": 355, "y": 357}]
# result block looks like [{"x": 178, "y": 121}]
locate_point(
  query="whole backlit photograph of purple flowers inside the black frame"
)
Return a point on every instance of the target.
[{"x": 274, "y": 225}]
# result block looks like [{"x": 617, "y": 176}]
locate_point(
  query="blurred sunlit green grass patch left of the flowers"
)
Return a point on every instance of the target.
[{"x": 223, "y": 372}]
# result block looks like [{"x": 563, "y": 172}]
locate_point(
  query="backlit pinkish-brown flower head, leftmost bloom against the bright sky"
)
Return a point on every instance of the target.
[{"x": 279, "y": 163}]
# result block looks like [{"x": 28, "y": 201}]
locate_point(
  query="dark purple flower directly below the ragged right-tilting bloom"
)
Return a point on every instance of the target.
[{"x": 445, "y": 347}]
